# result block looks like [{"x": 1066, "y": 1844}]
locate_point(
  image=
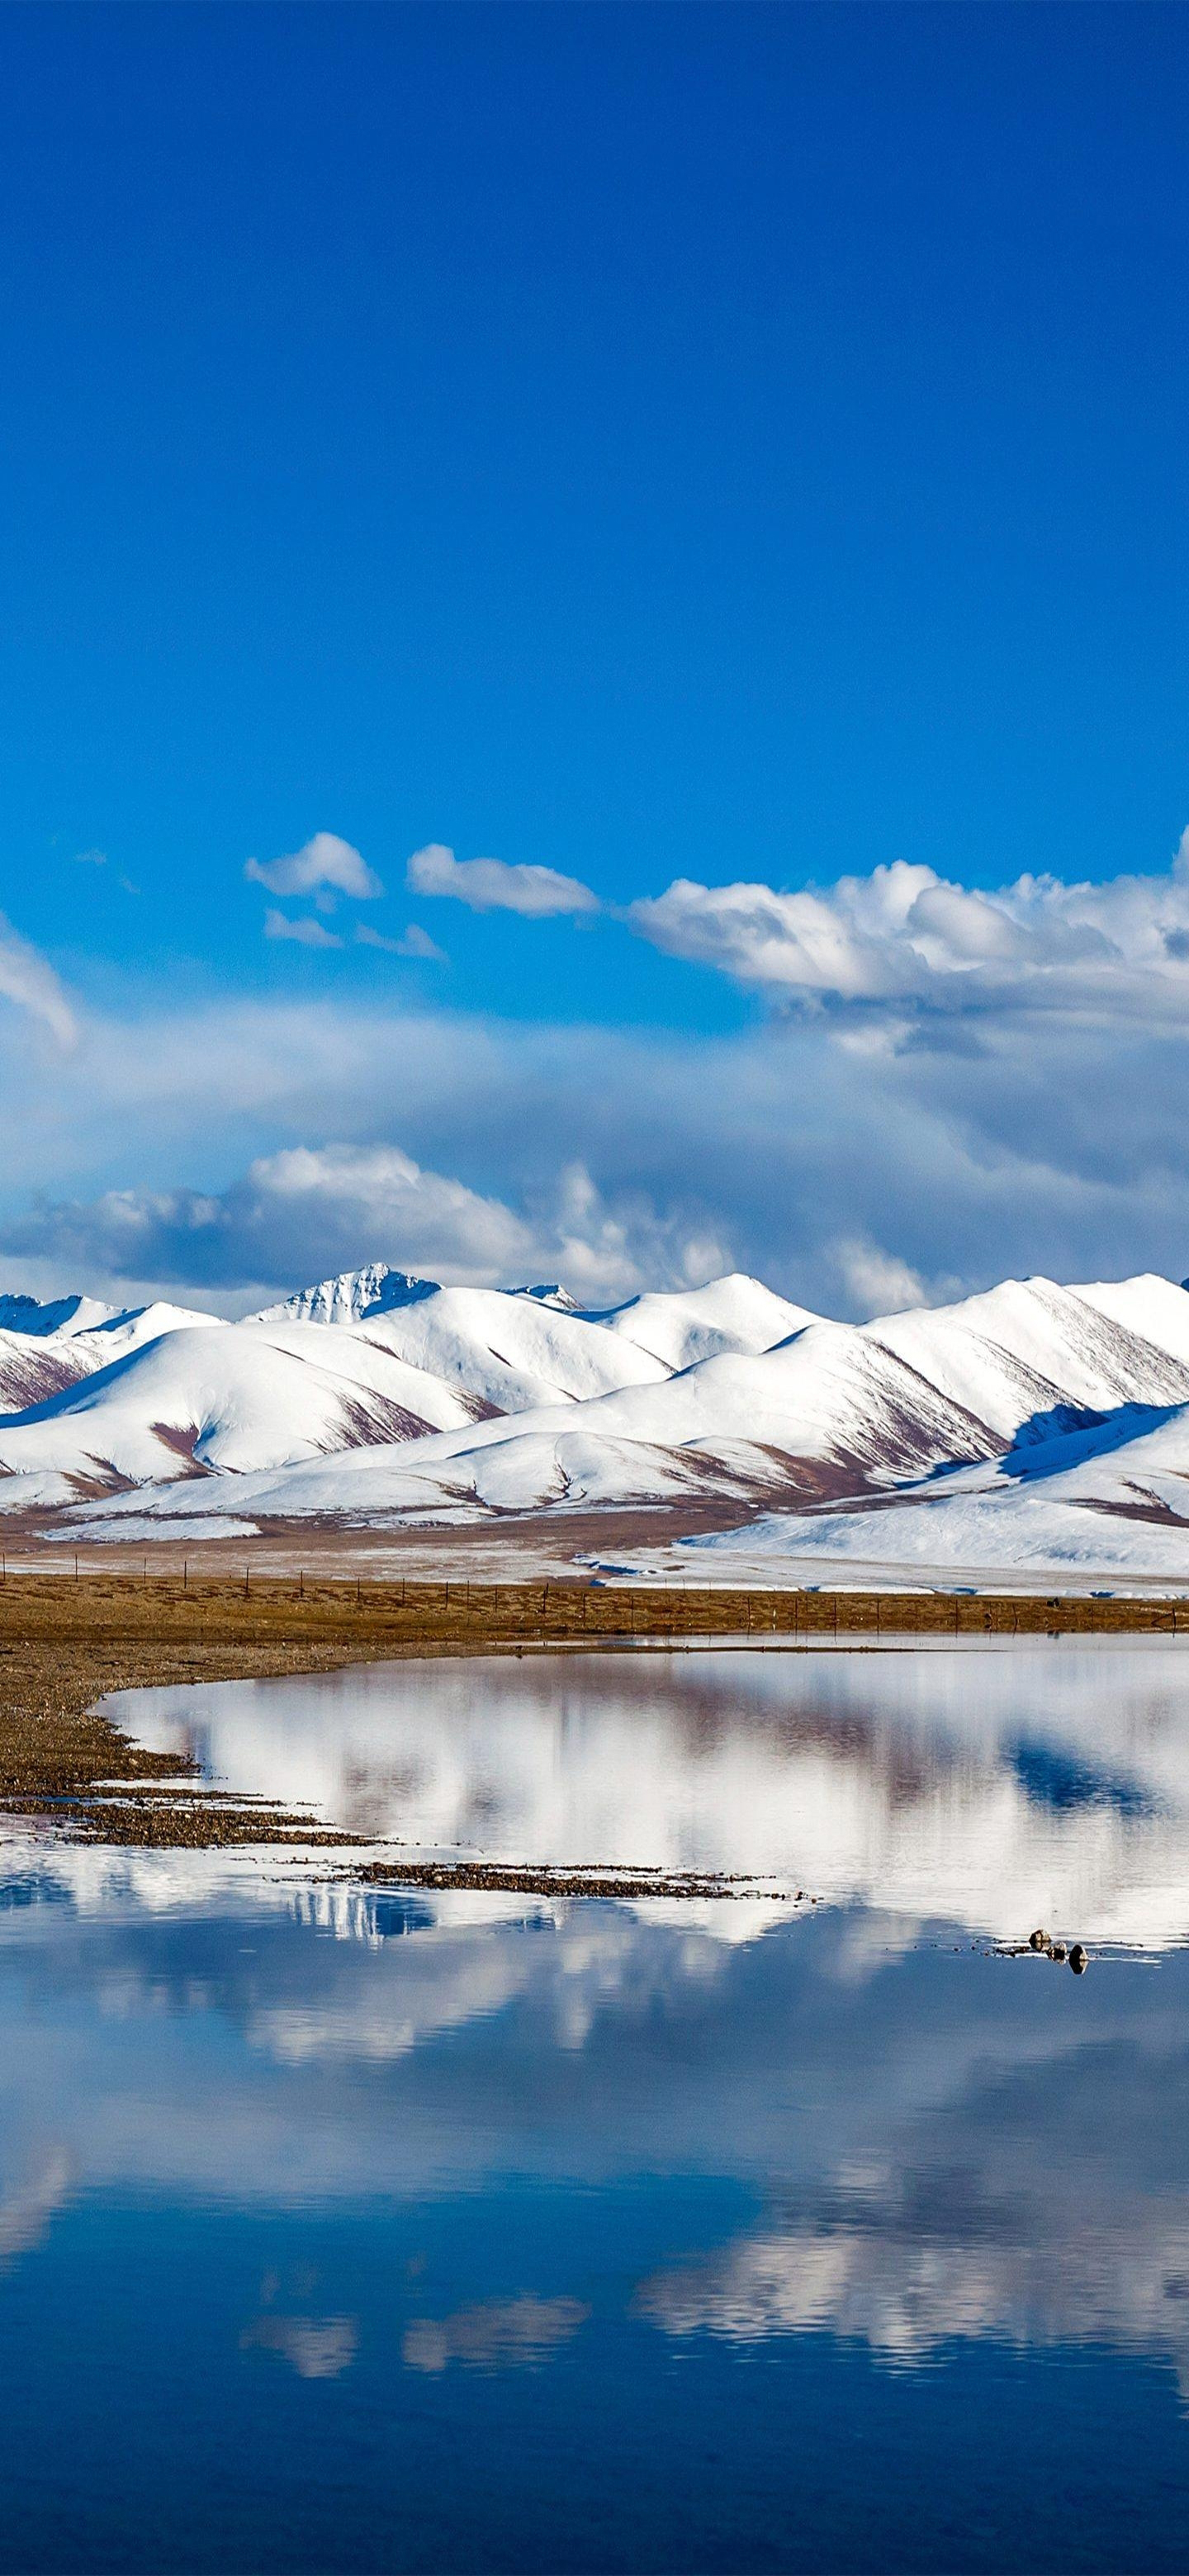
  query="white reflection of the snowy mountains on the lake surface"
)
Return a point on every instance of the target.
[{"x": 992, "y": 1789}]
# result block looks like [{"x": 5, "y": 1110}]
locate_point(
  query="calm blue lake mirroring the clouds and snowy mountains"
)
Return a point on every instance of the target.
[{"x": 392, "y": 2232}]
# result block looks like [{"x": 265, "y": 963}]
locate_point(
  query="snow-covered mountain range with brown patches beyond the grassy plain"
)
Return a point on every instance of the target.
[{"x": 1023, "y": 1428}]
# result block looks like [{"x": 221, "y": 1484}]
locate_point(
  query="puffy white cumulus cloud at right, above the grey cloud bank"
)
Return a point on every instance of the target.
[{"x": 910, "y": 942}]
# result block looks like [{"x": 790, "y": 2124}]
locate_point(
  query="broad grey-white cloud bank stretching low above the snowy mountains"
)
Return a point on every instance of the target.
[{"x": 959, "y": 1148}]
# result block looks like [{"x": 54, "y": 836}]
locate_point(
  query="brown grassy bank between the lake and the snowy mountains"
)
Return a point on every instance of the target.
[{"x": 68, "y": 1642}]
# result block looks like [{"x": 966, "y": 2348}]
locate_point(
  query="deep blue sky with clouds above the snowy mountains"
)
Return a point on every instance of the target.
[{"x": 650, "y": 444}]
